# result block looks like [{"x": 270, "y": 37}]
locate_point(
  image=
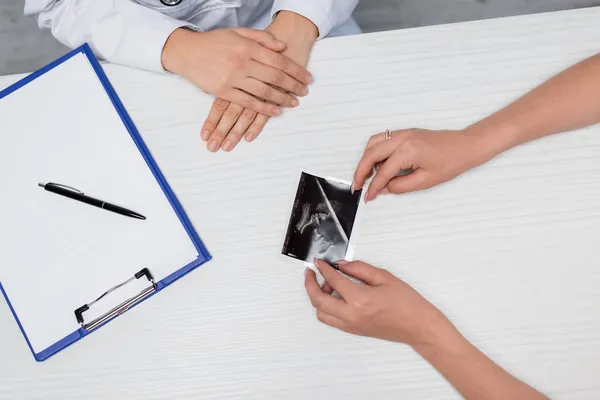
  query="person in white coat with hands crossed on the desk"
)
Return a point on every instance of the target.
[{"x": 251, "y": 72}]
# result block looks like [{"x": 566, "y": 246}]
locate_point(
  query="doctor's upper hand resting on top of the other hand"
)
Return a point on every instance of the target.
[{"x": 238, "y": 65}]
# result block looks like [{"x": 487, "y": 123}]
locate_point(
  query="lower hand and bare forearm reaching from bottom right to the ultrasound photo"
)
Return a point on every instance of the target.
[{"x": 387, "y": 308}]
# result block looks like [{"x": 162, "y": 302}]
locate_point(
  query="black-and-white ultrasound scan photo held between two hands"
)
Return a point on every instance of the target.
[{"x": 322, "y": 219}]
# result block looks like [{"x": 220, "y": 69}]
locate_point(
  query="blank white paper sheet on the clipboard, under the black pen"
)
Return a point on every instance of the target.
[{"x": 59, "y": 254}]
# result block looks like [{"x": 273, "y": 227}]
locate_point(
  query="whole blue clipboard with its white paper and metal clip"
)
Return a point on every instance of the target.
[{"x": 134, "y": 284}]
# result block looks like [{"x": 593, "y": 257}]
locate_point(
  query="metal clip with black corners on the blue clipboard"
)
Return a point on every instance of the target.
[{"x": 121, "y": 308}]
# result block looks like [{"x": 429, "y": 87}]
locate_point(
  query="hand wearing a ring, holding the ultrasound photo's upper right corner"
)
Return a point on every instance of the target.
[{"x": 433, "y": 156}]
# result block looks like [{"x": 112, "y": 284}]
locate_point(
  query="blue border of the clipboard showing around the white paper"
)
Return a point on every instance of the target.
[{"x": 203, "y": 255}]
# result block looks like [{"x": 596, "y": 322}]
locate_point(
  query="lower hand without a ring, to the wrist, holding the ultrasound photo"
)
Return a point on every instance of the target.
[{"x": 384, "y": 308}]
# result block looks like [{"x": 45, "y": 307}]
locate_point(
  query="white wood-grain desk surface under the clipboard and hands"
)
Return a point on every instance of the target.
[{"x": 510, "y": 251}]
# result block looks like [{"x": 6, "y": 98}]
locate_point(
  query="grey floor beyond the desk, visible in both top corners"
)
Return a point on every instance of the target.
[{"x": 24, "y": 48}]
